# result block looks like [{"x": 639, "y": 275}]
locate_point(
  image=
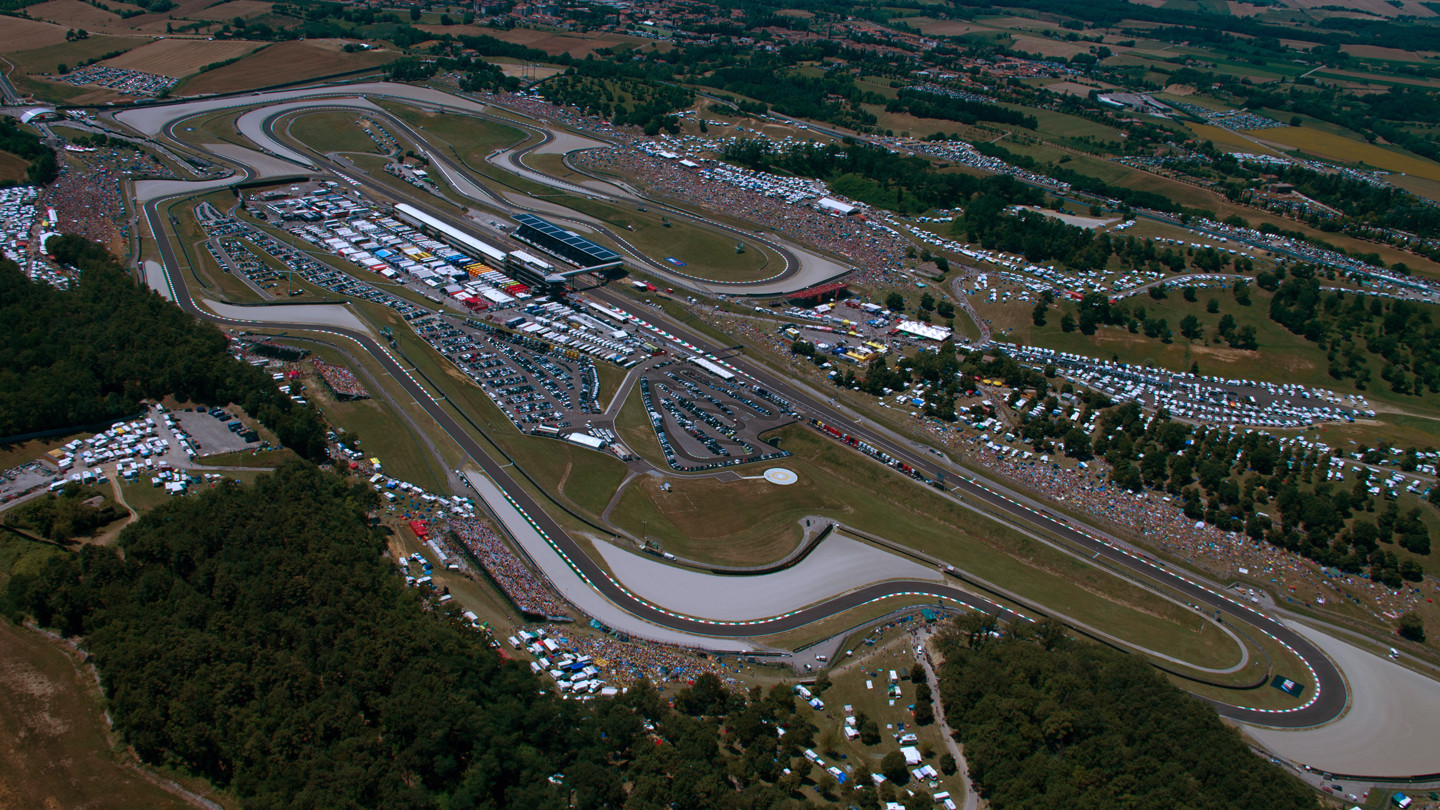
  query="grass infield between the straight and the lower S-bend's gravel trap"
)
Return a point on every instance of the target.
[{"x": 744, "y": 524}]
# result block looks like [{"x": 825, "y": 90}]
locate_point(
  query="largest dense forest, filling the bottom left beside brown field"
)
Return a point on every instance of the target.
[{"x": 256, "y": 636}]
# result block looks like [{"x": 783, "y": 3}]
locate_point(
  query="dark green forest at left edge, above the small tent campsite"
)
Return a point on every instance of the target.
[{"x": 96, "y": 351}]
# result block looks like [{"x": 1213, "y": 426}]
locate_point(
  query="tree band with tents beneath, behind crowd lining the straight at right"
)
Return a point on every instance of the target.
[{"x": 1243, "y": 482}]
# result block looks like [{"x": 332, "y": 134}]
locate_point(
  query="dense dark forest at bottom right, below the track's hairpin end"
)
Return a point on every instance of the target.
[{"x": 1053, "y": 723}]
